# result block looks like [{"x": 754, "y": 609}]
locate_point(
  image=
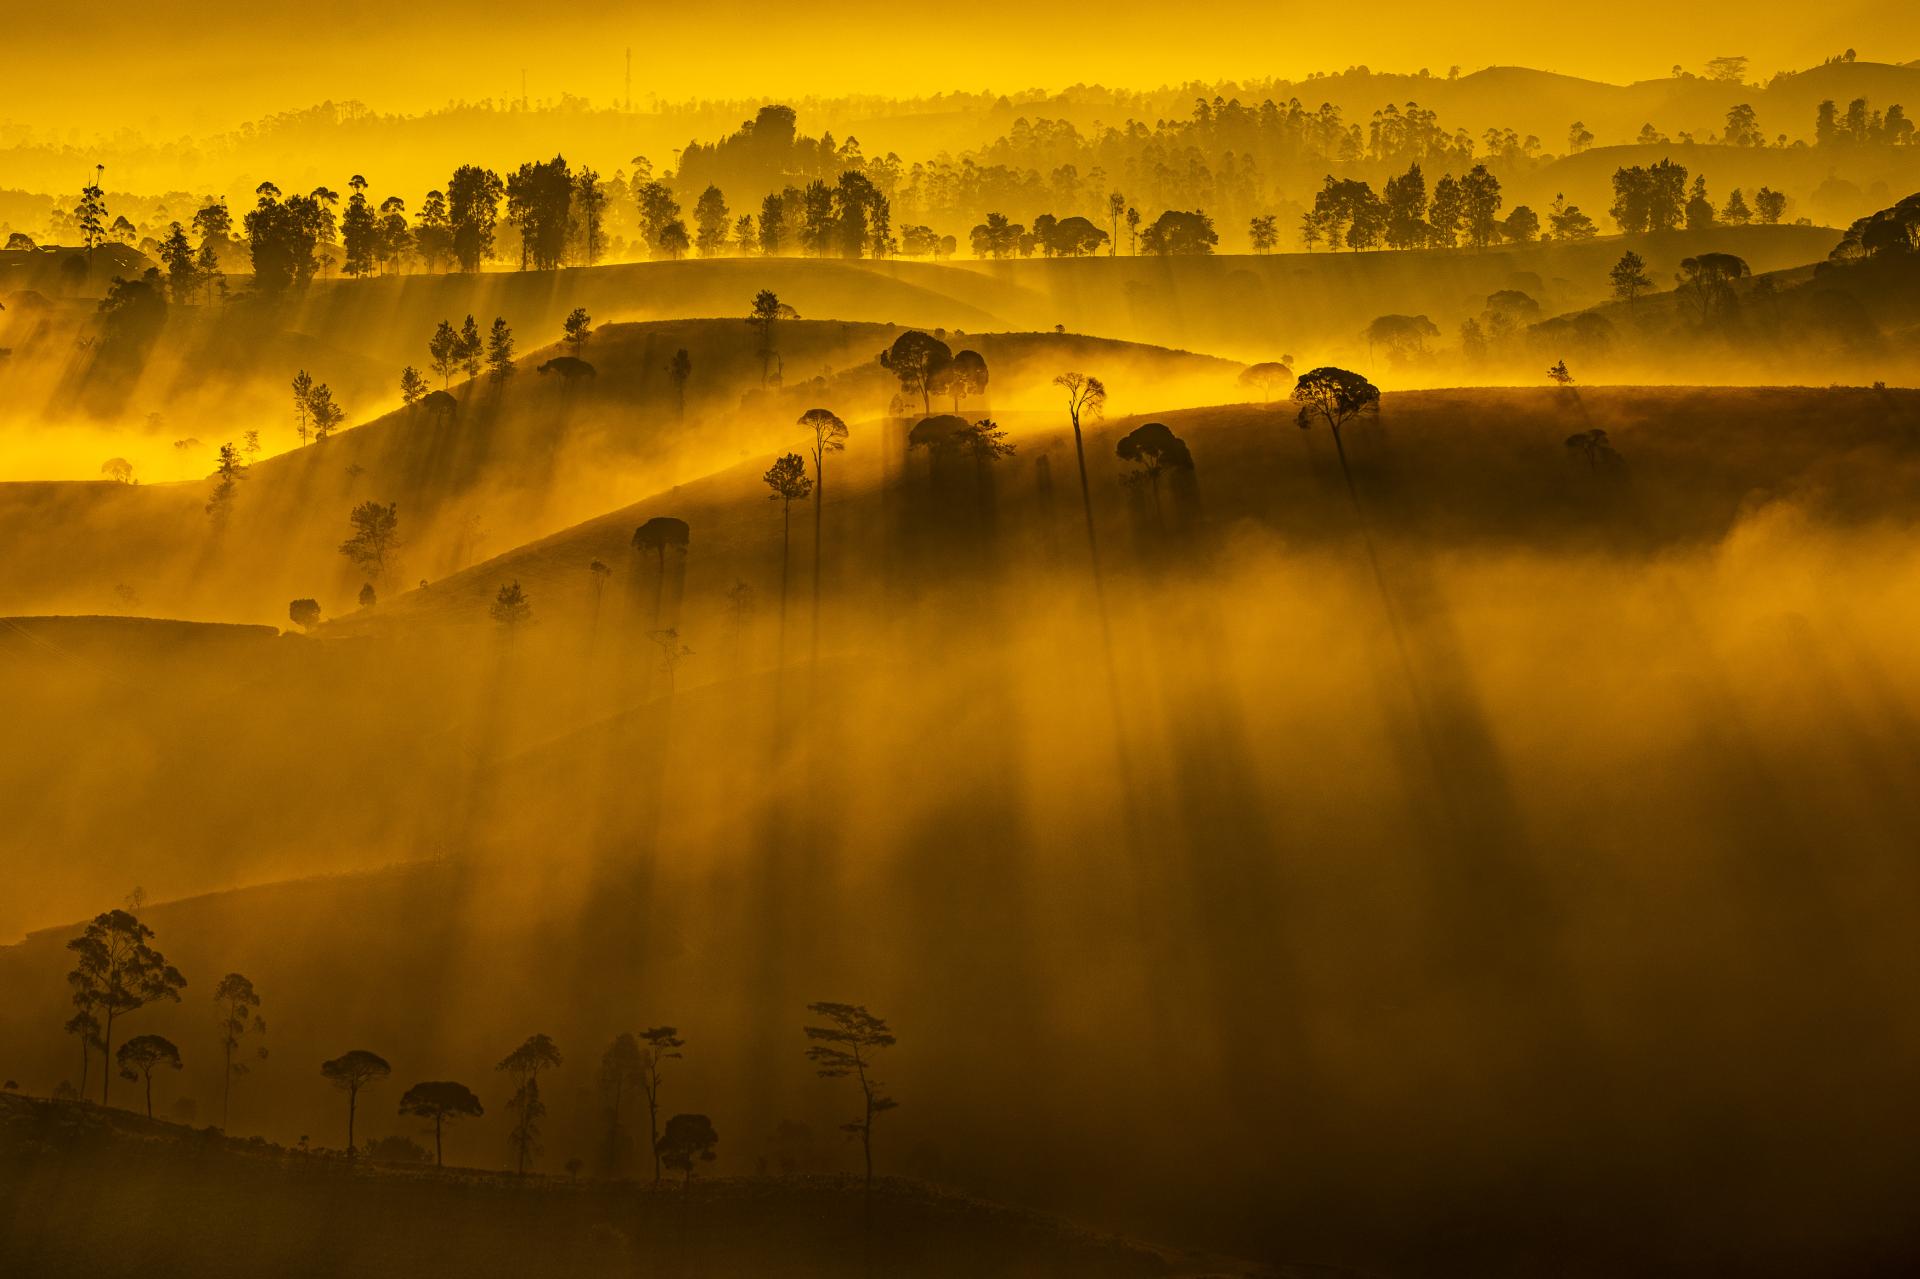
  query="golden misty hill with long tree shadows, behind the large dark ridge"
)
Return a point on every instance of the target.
[{"x": 506, "y": 466}]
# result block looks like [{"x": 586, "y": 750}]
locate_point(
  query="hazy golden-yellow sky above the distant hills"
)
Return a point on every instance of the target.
[{"x": 406, "y": 59}]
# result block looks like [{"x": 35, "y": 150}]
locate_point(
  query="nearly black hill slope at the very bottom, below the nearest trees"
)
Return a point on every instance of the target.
[{"x": 84, "y": 1190}]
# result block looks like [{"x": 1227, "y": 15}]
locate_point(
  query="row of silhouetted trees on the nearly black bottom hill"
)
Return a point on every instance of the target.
[{"x": 118, "y": 973}]
